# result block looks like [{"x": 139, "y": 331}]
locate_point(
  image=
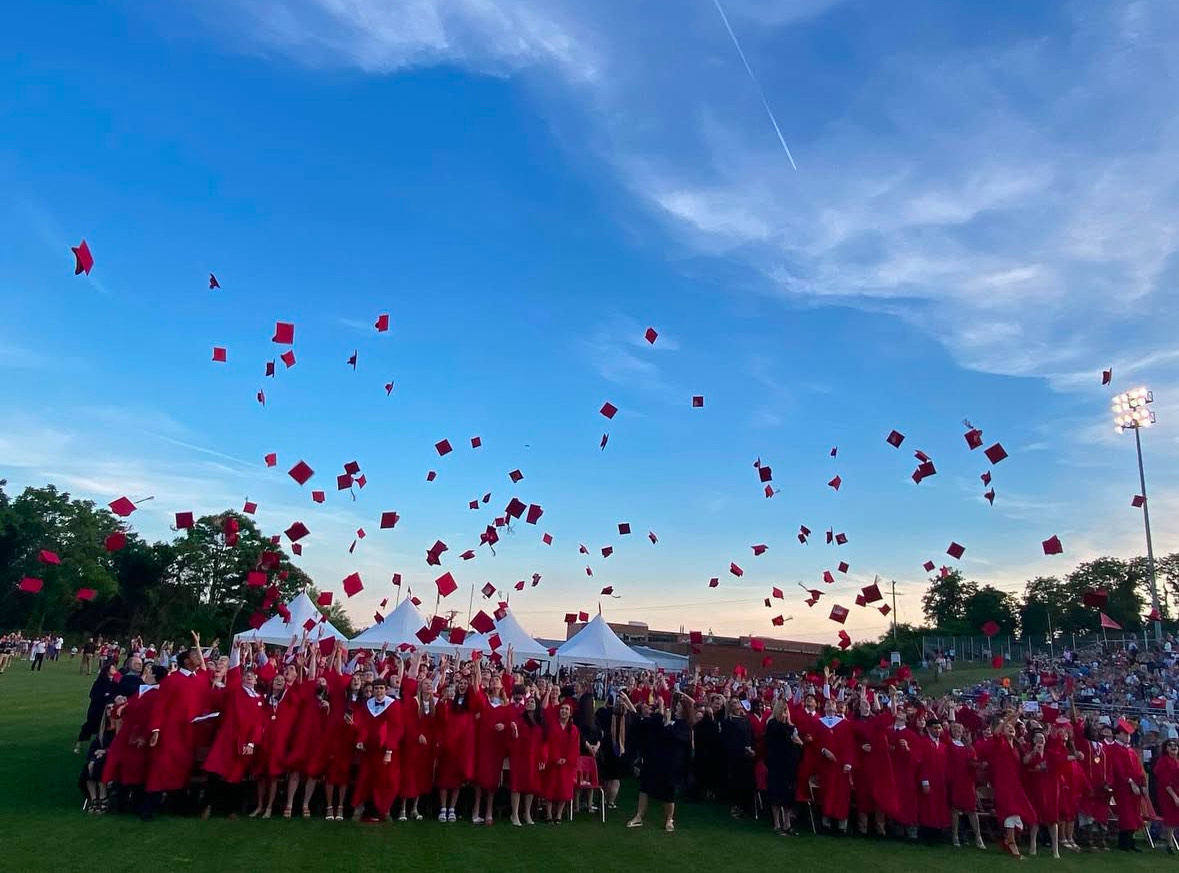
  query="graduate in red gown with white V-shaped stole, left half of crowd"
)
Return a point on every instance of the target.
[{"x": 380, "y": 734}]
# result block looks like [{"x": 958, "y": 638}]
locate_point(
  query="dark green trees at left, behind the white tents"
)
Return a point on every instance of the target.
[{"x": 197, "y": 581}]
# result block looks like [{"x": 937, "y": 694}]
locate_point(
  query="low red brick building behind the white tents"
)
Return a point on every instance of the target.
[{"x": 717, "y": 653}]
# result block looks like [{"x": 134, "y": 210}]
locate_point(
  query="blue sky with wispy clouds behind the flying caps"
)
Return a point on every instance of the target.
[{"x": 985, "y": 216}]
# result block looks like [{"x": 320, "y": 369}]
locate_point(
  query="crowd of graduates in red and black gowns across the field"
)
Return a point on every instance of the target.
[{"x": 319, "y": 731}]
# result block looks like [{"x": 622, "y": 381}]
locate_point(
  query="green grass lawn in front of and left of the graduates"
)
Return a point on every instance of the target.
[{"x": 42, "y": 826}]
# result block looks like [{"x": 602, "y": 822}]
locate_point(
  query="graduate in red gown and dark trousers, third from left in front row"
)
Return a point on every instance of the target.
[{"x": 239, "y": 737}]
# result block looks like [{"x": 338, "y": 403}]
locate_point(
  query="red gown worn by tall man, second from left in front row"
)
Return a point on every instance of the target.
[{"x": 172, "y": 760}]
